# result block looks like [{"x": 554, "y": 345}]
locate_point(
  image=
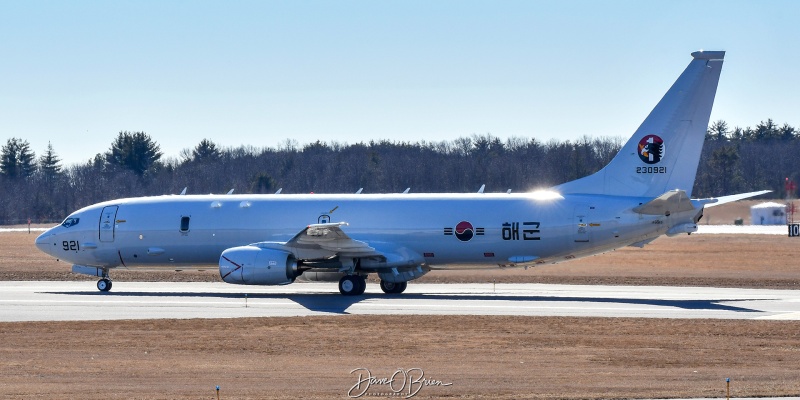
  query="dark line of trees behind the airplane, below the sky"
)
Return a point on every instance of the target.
[{"x": 733, "y": 160}]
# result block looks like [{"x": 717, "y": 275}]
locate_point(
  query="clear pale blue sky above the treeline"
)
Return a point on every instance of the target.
[{"x": 75, "y": 73}]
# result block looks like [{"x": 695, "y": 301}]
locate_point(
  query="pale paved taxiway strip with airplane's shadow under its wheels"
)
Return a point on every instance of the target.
[{"x": 74, "y": 301}]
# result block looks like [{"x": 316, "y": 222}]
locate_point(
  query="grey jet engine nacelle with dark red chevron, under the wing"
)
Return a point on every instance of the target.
[{"x": 251, "y": 265}]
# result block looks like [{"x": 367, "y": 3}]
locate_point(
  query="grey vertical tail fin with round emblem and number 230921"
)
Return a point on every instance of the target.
[{"x": 664, "y": 152}]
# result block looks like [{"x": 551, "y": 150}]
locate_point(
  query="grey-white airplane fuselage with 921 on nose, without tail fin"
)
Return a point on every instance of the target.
[{"x": 437, "y": 230}]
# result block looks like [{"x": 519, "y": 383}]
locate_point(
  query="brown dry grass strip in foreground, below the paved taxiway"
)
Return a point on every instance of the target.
[{"x": 483, "y": 357}]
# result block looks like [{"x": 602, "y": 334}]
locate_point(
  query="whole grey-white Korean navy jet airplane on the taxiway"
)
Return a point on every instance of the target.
[{"x": 272, "y": 239}]
